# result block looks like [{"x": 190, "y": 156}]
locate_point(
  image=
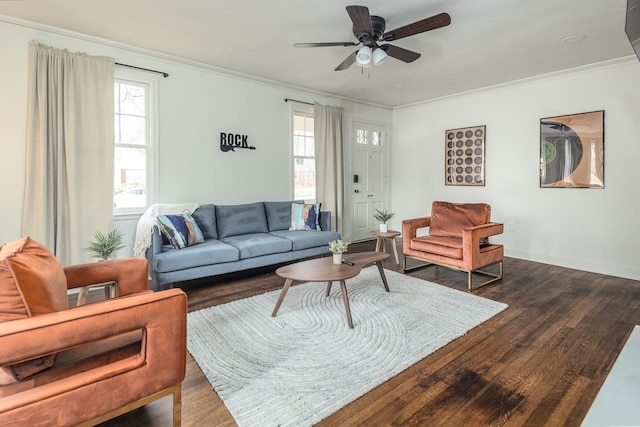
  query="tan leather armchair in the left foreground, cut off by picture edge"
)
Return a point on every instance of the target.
[{"x": 87, "y": 364}]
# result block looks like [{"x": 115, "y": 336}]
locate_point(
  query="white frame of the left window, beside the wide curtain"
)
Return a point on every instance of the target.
[{"x": 151, "y": 84}]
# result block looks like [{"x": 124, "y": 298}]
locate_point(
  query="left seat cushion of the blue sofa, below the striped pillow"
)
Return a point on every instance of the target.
[{"x": 209, "y": 252}]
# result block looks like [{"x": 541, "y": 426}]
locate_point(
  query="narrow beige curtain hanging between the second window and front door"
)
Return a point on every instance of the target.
[{"x": 329, "y": 165}]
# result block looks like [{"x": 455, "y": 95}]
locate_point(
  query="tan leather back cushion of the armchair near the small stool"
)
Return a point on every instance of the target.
[{"x": 448, "y": 219}]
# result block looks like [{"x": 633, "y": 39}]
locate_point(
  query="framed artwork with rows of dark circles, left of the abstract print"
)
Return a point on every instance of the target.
[{"x": 464, "y": 156}]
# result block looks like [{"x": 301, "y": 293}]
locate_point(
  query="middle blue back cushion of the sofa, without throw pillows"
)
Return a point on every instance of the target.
[{"x": 233, "y": 220}]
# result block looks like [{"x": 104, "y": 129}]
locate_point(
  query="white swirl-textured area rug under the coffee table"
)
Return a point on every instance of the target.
[{"x": 301, "y": 366}]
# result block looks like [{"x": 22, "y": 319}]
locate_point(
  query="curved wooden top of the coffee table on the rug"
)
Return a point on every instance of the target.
[{"x": 324, "y": 270}]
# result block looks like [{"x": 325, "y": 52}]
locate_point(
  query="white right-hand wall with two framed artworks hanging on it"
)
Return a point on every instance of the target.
[{"x": 589, "y": 229}]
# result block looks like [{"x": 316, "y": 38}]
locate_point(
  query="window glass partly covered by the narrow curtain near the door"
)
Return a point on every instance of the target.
[{"x": 304, "y": 161}]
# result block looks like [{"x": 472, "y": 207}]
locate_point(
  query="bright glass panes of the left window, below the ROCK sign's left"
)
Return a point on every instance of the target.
[{"x": 133, "y": 155}]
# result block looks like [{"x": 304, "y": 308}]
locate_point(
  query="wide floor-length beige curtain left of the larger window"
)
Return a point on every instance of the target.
[{"x": 69, "y": 150}]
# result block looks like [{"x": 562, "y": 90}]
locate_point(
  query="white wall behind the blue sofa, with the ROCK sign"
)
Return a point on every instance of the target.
[{"x": 195, "y": 105}]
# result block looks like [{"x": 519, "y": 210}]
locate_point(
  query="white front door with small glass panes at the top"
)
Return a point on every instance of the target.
[{"x": 370, "y": 180}]
